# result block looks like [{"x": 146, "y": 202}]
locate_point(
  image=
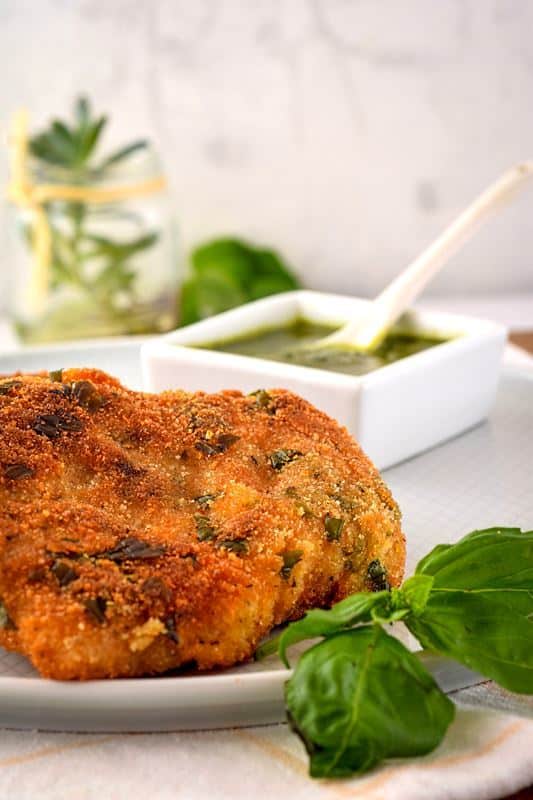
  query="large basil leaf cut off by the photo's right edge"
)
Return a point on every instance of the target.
[{"x": 480, "y": 607}]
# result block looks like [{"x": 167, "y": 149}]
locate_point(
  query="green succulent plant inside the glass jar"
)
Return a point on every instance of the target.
[{"x": 82, "y": 258}]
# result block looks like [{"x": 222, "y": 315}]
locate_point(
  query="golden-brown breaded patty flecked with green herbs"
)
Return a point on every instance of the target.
[{"x": 142, "y": 532}]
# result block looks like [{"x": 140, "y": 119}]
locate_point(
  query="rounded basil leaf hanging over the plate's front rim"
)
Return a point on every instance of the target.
[{"x": 361, "y": 697}]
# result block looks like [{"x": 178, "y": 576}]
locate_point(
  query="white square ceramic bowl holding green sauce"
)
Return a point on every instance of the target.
[{"x": 394, "y": 412}]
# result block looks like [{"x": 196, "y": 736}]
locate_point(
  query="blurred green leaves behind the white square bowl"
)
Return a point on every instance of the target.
[{"x": 229, "y": 272}]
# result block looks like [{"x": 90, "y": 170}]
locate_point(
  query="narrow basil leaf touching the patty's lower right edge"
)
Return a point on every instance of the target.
[{"x": 356, "y": 609}]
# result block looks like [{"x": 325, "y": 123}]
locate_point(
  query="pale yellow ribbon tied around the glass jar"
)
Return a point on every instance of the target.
[{"x": 33, "y": 196}]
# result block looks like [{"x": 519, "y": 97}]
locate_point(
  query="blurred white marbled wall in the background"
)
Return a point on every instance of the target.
[{"x": 345, "y": 132}]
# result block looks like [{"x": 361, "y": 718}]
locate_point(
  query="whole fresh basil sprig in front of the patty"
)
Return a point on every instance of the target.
[{"x": 359, "y": 696}]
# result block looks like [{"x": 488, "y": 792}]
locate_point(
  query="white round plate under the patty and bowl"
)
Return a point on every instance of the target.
[{"x": 480, "y": 479}]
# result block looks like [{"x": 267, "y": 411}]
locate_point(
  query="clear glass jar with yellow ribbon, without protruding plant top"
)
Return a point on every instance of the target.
[{"x": 97, "y": 256}]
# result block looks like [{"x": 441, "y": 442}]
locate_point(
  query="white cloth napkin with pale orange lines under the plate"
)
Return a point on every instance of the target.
[{"x": 485, "y": 755}]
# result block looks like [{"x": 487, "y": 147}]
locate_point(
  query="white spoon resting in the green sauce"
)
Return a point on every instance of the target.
[{"x": 369, "y": 328}]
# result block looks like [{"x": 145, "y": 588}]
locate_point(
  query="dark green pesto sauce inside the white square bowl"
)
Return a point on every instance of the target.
[{"x": 284, "y": 344}]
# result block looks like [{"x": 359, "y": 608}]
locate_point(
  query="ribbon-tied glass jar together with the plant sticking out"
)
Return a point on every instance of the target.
[{"x": 93, "y": 226}]
